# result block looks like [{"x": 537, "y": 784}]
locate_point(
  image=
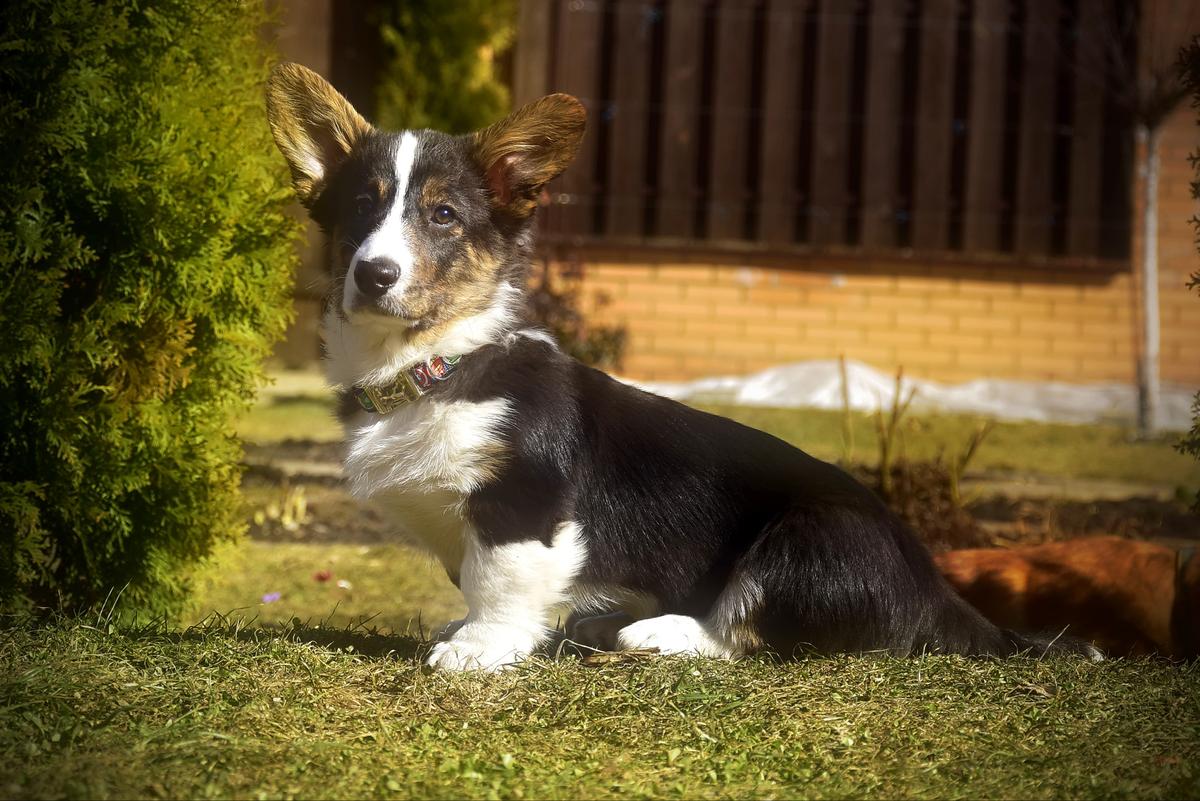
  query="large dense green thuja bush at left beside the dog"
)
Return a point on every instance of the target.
[{"x": 147, "y": 262}]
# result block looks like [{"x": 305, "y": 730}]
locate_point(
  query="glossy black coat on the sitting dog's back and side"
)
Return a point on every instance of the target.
[{"x": 675, "y": 503}]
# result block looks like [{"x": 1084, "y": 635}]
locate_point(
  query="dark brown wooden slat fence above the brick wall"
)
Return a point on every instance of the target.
[{"x": 980, "y": 127}]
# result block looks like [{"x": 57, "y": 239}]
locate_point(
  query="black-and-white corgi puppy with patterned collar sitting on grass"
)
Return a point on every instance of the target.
[{"x": 539, "y": 483}]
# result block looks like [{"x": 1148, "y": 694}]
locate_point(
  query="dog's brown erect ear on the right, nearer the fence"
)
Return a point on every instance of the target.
[{"x": 529, "y": 148}]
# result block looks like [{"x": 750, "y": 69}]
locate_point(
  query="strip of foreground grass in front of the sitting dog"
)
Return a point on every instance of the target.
[{"x": 220, "y": 712}]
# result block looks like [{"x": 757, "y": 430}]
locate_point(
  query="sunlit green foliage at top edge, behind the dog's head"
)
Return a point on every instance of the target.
[{"x": 439, "y": 67}]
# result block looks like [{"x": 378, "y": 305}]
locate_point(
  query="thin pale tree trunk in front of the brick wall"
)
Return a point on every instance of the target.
[{"x": 1148, "y": 368}]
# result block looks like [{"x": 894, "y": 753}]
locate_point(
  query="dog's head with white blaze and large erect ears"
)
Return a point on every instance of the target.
[{"x": 427, "y": 228}]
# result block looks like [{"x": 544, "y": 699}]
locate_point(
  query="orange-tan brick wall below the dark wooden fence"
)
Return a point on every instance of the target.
[{"x": 691, "y": 315}]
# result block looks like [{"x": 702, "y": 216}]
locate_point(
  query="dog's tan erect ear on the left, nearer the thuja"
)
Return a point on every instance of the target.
[{"x": 314, "y": 127}]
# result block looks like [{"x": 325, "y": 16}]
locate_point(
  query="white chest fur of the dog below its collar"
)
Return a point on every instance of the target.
[{"x": 422, "y": 461}]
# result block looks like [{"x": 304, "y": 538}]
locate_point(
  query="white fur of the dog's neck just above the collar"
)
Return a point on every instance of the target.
[{"x": 367, "y": 354}]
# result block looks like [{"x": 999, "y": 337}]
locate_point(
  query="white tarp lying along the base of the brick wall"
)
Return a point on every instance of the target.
[{"x": 818, "y": 384}]
